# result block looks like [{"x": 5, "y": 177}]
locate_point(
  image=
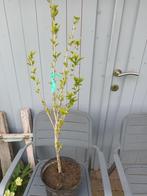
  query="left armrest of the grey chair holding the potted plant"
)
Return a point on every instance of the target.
[{"x": 11, "y": 169}]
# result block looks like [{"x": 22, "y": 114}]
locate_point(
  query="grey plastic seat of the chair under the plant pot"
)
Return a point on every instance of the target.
[{"x": 36, "y": 187}]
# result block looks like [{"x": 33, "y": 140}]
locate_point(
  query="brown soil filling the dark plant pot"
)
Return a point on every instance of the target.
[{"x": 67, "y": 180}]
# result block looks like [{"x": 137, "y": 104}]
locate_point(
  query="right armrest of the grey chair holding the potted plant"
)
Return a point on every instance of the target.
[{"x": 104, "y": 173}]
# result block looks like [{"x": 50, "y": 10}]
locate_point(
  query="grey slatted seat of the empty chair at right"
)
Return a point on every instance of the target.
[{"x": 137, "y": 178}]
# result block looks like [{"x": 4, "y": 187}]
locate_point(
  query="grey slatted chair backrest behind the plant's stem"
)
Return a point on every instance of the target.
[{"x": 76, "y": 132}]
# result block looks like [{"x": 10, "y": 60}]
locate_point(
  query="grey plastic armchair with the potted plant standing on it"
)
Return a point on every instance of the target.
[{"x": 76, "y": 139}]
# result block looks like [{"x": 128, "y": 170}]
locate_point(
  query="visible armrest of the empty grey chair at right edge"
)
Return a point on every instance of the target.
[{"x": 122, "y": 176}]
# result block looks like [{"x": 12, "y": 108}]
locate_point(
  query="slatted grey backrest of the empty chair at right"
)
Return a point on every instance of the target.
[{"x": 134, "y": 138}]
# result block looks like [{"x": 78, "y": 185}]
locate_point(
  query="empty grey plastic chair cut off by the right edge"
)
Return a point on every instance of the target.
[{"x": 131, "y": 157}]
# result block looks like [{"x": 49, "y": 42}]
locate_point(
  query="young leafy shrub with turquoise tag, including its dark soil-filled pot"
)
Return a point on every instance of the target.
[{"x": 60, "y": 169}]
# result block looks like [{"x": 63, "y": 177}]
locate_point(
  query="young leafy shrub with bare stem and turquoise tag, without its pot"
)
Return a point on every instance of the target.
[{"x": 62, "y": 99}]
